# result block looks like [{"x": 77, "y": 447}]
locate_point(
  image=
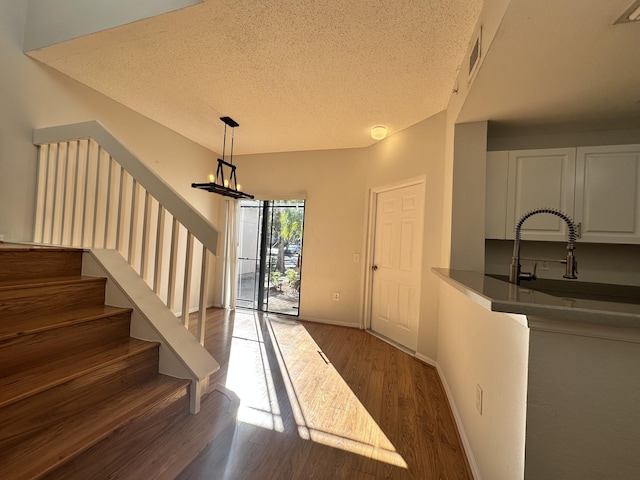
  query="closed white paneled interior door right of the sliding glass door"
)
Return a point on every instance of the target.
[{"x": 397, "y": 264}]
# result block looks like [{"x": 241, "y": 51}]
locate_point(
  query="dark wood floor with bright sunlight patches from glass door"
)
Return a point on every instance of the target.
[{"x": 324, "y": 402}]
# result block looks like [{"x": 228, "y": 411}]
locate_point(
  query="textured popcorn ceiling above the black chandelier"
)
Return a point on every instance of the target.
[{"x": 296, "y": 74}]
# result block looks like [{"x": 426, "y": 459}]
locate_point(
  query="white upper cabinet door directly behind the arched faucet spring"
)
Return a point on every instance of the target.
[{"x": 540, "y": 179}]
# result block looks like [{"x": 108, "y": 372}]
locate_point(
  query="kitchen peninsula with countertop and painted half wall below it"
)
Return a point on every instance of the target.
[{"x": 581, "y": 357}]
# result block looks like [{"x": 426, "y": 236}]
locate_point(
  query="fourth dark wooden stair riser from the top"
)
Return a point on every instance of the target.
[{"x": 27, "y": 418}]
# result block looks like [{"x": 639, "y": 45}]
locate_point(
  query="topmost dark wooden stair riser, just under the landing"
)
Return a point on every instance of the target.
[{"x": 40, "y": 263}]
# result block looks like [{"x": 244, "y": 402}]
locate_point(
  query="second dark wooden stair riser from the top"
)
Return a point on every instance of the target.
[{"x": 39, "y": 300}]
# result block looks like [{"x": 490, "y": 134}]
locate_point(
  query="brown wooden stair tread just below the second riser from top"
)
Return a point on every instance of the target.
[{"x": 18, "y": 325}]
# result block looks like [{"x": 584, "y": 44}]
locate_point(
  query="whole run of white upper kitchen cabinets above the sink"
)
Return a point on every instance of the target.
[{"x": 599, "y": 187}]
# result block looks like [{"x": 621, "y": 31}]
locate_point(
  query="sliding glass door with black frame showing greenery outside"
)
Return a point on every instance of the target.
[{"x": 270, "y": 255}]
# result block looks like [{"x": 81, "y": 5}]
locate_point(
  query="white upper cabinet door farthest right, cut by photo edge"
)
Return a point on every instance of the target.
[{"x": 608, "y": 193}]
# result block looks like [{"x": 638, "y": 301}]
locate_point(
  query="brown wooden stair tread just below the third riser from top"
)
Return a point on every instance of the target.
[{"x": 45, "y": 375}]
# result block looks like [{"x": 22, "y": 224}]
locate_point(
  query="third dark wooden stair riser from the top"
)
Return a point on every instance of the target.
[{"x": 25, "y": 351}]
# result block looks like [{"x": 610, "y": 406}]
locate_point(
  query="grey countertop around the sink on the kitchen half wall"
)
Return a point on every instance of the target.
[{"x": 501, "y": 296}]
